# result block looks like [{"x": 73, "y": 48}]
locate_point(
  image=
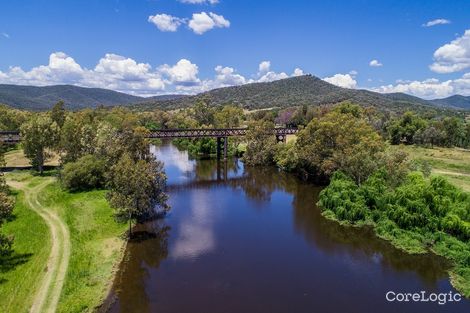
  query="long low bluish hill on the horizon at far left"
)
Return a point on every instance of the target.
[{"x": 42, "y": 98}]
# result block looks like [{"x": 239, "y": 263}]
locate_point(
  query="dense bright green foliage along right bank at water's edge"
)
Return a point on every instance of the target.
[{"x": 417, "y": 215}]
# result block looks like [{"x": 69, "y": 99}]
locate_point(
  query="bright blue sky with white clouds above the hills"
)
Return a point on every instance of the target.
[{"x": 152, "y": 47}]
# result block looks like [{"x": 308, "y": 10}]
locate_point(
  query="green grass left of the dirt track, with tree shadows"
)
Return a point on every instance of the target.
[{"x": 21, "y": 274}]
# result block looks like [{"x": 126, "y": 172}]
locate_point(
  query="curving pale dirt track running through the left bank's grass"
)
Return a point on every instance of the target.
[{"x": 48, "y": 294}]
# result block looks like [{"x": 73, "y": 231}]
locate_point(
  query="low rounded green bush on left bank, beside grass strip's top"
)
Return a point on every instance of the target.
[{"x": 86, "y": 173}]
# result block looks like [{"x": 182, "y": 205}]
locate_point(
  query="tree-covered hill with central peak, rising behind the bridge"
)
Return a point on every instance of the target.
[{"x": 287, "y": 92}]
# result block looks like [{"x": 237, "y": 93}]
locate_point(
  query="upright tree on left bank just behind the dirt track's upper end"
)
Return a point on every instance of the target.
[{"x": 38, "y": 135}]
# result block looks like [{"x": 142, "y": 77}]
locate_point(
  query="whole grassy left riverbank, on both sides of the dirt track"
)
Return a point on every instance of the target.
[{"x": 95, "y": 246}]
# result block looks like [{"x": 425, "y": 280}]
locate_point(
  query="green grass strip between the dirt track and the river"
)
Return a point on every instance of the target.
[{"x": 96, "y": 246}]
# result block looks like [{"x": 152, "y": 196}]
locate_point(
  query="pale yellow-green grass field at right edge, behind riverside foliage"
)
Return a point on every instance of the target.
[{"x": 452, "y": 163}]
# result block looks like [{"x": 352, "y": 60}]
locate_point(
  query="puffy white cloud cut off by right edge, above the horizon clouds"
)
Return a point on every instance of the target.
[{"x": 454, "y": 56}]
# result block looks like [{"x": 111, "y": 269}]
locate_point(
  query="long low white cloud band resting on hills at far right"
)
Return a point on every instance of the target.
[{"x": 431, "y": 88}]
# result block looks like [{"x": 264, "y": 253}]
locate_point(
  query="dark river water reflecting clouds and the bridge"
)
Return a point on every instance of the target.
[{"x": 246, "y": 240}]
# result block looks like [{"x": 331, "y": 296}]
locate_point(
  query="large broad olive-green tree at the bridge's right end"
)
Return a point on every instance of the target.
[{"x": 340, "y": 140}]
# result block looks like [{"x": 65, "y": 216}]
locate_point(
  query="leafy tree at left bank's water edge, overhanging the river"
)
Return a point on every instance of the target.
[{"x": 136, "y": 189}]
